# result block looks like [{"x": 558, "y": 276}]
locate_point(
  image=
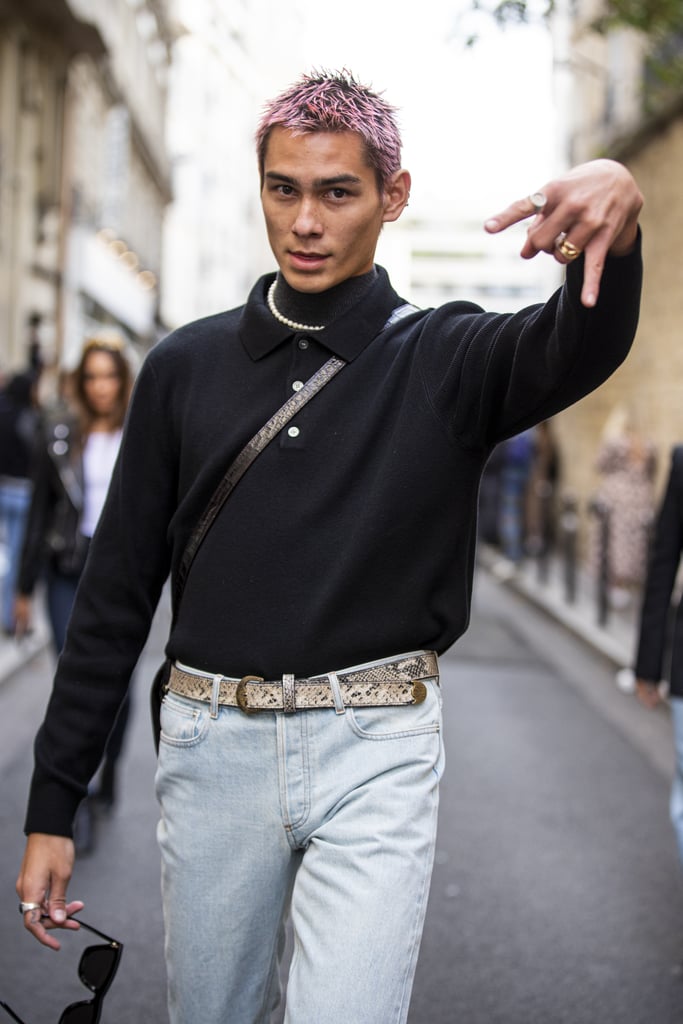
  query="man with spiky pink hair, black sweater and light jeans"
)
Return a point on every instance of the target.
[{"x": 301, "y": 747}]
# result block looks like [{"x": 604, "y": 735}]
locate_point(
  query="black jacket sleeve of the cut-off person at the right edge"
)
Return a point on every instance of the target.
[{"x": 663, "y": 570}]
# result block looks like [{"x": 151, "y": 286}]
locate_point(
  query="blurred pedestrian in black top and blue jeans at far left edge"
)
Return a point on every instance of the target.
[{"x": 20, "y": 420}]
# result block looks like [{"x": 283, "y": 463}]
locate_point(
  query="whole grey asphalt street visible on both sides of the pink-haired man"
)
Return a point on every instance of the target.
[{"x": 557, "y": 894}]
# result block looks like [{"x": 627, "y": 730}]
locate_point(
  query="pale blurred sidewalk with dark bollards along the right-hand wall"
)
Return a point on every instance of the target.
[{"x": 616, "y": 639}]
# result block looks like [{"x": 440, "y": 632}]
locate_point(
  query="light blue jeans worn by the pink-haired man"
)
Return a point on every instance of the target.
[{"x": 329, "y": 817}]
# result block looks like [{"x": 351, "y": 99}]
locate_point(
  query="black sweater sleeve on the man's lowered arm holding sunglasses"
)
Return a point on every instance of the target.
[{"x": 127, "y": 566}]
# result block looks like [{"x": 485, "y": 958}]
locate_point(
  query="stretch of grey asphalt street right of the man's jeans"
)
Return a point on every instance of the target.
[{"x": 557, "y": 898}]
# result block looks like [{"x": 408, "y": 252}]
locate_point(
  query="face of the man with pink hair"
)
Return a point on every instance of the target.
[{"x": 323, "y": 208}]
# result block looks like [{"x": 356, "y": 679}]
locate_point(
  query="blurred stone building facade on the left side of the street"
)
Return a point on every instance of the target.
[{"x": 84, "y": 177}]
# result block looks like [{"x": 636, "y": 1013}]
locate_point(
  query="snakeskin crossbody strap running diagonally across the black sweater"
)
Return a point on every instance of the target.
[{"x": 240, "y": 466}]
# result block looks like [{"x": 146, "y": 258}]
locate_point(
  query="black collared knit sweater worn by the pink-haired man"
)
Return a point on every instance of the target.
[{"x": 353, "y": 536}]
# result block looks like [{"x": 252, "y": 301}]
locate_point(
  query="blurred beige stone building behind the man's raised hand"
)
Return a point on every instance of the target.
[{"x": 610, "y": 118}]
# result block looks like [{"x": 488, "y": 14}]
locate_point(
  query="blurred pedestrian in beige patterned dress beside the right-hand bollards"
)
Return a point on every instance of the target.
[{"x": 627, "y": 465}]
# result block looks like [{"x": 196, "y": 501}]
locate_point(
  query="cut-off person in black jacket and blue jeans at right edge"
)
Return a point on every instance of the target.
[{"x": 657, "y": 636}]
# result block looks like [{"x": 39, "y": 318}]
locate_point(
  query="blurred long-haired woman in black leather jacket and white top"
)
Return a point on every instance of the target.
[{"x": 71, "y": 480}]
